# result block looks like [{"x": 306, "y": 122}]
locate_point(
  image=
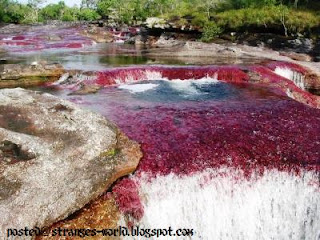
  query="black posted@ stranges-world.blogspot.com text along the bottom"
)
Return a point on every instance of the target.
[{"x": 134, "y": 231}]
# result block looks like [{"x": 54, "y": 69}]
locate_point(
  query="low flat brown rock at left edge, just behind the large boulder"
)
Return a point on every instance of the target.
[{"x": 24, "y": 75}]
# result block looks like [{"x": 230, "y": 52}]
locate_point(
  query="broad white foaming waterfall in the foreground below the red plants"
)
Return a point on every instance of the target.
[{"x": 277, "y": 206}]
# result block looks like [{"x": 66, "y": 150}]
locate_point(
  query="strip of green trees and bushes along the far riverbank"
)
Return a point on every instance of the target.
[{"x": 213, "y": 17}]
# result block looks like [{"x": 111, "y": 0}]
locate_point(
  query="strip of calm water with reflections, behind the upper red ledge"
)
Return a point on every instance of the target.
[{"x": 105, "y": 55}]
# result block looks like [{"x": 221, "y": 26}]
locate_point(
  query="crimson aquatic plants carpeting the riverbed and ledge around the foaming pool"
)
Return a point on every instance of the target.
[{"x": 256, "y": 130}]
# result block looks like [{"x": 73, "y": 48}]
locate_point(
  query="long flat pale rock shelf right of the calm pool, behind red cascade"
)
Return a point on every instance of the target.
[{"x": 237, "y": 53}]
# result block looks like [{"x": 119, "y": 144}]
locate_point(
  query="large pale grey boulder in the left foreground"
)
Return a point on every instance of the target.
[{"x": 55, "y": 158}]
